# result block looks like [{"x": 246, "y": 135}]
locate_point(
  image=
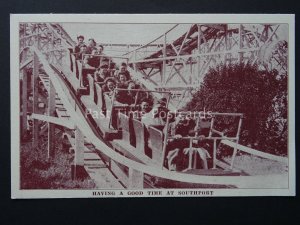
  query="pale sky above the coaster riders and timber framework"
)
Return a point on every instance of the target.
[{"x": 134, "y": 33}]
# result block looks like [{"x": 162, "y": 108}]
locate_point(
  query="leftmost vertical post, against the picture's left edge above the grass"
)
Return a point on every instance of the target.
[{"x": 24, "y": 102}]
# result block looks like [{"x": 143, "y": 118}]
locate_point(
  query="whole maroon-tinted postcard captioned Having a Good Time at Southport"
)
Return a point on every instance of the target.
[{"x": 152, "y": 105}]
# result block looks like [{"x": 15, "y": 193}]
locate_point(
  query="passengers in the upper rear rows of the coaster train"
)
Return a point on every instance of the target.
[{"x": 107, "y": 74}]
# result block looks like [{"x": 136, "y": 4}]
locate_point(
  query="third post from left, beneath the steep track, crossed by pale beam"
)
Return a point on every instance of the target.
[{"x": 51, "y": 127}]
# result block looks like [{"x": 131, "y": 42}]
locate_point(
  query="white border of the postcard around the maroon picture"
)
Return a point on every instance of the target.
[{"x": 144, "y": 18}]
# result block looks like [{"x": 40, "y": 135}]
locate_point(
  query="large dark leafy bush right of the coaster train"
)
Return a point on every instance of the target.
[{"x": 260, "y": 95}]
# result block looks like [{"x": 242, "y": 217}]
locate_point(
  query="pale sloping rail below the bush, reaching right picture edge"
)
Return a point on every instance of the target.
[{"x": 255, "y": 152}]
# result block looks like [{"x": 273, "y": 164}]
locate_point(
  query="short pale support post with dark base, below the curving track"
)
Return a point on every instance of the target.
[{"x": 78, "y": 171}]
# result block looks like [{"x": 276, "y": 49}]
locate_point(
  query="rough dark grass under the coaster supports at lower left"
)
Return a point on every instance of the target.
[{"x": 37, "y": 173}]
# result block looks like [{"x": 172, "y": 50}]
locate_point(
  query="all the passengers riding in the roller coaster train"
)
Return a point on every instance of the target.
[{"x": 129, "y": 93}]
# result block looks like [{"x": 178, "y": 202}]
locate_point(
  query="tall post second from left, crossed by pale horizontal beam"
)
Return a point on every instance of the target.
[{"x": 35, "y": 75}]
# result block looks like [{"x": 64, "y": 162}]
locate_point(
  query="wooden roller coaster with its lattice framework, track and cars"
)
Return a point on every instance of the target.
[{"x": 103, "y": 131}]
